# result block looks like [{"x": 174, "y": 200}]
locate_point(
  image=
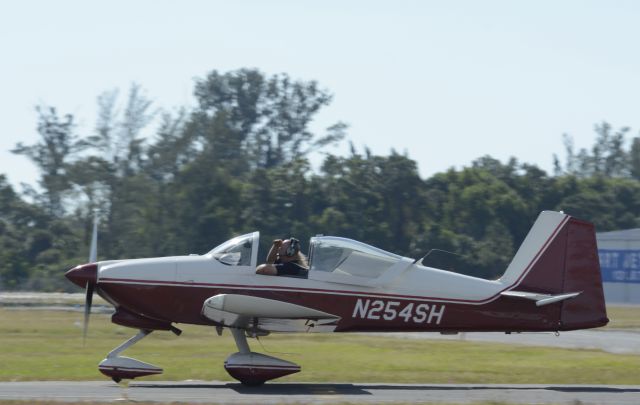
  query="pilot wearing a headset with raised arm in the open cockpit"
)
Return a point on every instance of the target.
[{"x": 285, "y": 259}]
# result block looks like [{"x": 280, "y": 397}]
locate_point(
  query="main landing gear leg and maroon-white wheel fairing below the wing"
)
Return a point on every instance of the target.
[{"x": 253, "y": 369}]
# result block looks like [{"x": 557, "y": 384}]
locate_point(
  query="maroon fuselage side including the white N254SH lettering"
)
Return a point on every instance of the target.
[{"x": 359, "y": 311}]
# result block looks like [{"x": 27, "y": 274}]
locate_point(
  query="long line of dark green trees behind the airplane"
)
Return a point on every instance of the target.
[{"x": 239, "y": 161}]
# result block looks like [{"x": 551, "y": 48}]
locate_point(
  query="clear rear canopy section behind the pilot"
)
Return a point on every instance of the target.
[{"x": 343, "y": 256}]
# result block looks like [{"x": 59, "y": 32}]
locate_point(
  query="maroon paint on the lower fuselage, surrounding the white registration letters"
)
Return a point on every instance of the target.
[{"x": 503, "y": 314}]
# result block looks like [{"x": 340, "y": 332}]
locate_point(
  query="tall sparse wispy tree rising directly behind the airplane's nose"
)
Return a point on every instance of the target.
[{"x": 109, "y": 176}]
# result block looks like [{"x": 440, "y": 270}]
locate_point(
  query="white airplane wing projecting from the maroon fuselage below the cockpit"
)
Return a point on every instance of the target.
[{"x": 256, "y": 313}]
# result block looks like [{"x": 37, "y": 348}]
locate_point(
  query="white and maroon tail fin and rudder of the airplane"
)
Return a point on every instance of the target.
[{"x": 558, "y": 263}]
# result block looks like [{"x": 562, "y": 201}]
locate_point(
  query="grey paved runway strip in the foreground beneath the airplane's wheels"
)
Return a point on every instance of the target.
[{"x": 323, "y": 393}]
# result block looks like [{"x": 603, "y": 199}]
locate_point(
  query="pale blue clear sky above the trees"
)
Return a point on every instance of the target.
[{"x": 444, "y": 81}]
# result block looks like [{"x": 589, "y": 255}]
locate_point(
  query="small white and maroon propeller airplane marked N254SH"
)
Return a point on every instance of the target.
[{"x": 552, "y": 284}]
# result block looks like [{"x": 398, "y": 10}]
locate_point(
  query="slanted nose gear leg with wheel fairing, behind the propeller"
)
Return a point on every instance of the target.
[{"x": 119, "y": 368}]
